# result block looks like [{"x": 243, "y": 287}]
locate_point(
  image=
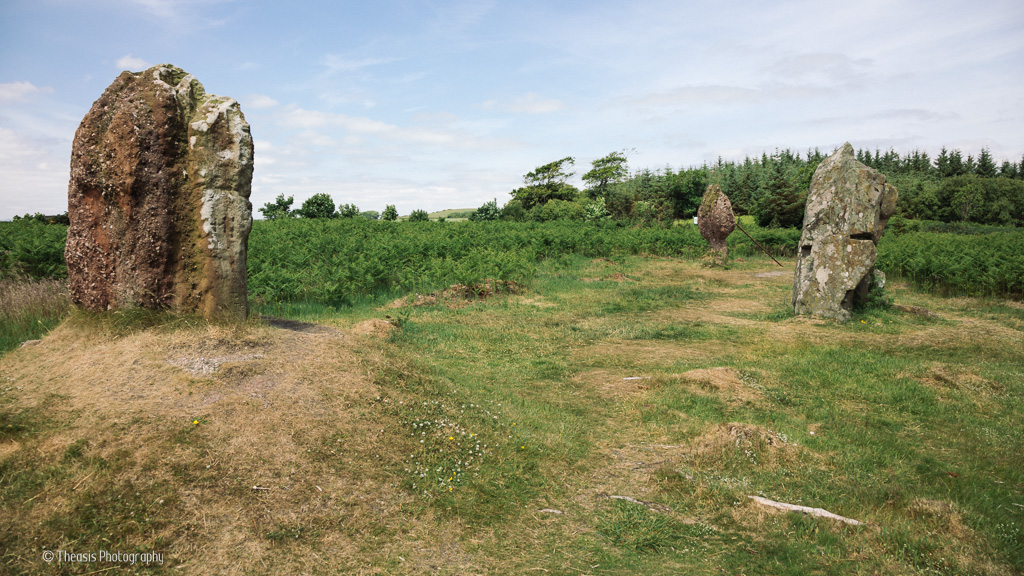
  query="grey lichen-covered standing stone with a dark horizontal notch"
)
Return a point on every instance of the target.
[{"x": 847, "y": 210}]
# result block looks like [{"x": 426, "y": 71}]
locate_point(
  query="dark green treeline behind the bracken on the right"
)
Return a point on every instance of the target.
[{"x": 951, "y": 188}]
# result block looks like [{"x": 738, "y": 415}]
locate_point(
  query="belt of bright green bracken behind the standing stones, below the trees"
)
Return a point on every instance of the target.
[{"x": 339, "y": 261}]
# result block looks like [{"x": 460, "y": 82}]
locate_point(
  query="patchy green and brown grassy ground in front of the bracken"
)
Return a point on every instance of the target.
[{"x": 612, "y": 420}]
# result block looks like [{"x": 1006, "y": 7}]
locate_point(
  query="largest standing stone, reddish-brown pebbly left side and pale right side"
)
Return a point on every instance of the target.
[{"x": 159, "y": 204}]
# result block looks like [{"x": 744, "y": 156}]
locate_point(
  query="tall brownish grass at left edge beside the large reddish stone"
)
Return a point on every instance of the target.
[{"x": 30, "y": 308}]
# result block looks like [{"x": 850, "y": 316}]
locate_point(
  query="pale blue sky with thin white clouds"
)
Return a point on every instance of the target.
[{"x": 448, "y": 104}]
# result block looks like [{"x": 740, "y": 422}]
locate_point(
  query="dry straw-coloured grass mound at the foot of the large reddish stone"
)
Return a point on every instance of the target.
[{"x": 207, "y": 415}]
